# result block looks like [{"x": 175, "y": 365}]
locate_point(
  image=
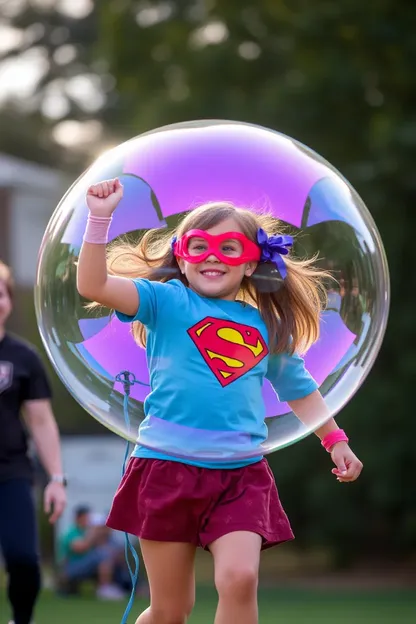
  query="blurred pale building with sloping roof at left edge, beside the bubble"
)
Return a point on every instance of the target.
[{"x": 29, "y": 193}]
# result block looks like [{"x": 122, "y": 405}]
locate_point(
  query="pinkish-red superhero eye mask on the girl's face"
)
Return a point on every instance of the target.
[{"x": 232, "y": 248}]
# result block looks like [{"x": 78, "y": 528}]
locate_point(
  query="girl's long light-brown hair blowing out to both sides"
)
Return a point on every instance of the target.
[{"x": 291, "y": 315}]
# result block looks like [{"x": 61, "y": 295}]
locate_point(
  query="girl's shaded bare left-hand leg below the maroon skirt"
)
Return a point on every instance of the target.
[{"x": 170, "y": 570}]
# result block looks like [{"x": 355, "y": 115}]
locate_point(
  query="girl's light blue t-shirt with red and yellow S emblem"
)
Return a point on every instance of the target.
[{"x": 207, "y": 361}]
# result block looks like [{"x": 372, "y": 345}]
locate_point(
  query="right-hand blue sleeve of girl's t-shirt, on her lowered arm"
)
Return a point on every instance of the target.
[{"x": 289, "y": 377}]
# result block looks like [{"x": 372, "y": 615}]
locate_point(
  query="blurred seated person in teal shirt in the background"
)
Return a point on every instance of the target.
[{"x": 88, "y": 552}]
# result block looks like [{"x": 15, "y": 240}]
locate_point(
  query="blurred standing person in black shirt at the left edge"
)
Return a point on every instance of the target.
[{"x": 24, "y": 392}]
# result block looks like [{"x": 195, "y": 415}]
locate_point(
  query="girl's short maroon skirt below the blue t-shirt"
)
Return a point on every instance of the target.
[{"x": 170, "y": 501}]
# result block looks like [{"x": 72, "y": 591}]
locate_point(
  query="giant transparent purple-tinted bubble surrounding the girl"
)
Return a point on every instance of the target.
[{"x": 168, "y": 172}]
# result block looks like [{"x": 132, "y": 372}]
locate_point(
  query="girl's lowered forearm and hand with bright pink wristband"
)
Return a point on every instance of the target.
[{"x": 312, "y": 409}]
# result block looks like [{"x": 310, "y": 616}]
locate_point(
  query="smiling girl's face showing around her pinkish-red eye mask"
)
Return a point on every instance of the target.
[{"x": 212, "y": 277}]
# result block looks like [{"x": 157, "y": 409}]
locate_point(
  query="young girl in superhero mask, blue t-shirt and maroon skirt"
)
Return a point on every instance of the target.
[{"x": 185, "y": 294}]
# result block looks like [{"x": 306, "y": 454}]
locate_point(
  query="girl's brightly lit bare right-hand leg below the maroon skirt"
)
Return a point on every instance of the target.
[{"x": 236, "y": 562}]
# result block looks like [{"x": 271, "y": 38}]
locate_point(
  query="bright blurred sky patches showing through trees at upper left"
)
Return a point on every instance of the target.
[{"x": 20, "y": 75}]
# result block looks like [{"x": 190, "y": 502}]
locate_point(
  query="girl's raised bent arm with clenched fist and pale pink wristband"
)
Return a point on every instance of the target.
[{"x": 93, "y": 281}]
